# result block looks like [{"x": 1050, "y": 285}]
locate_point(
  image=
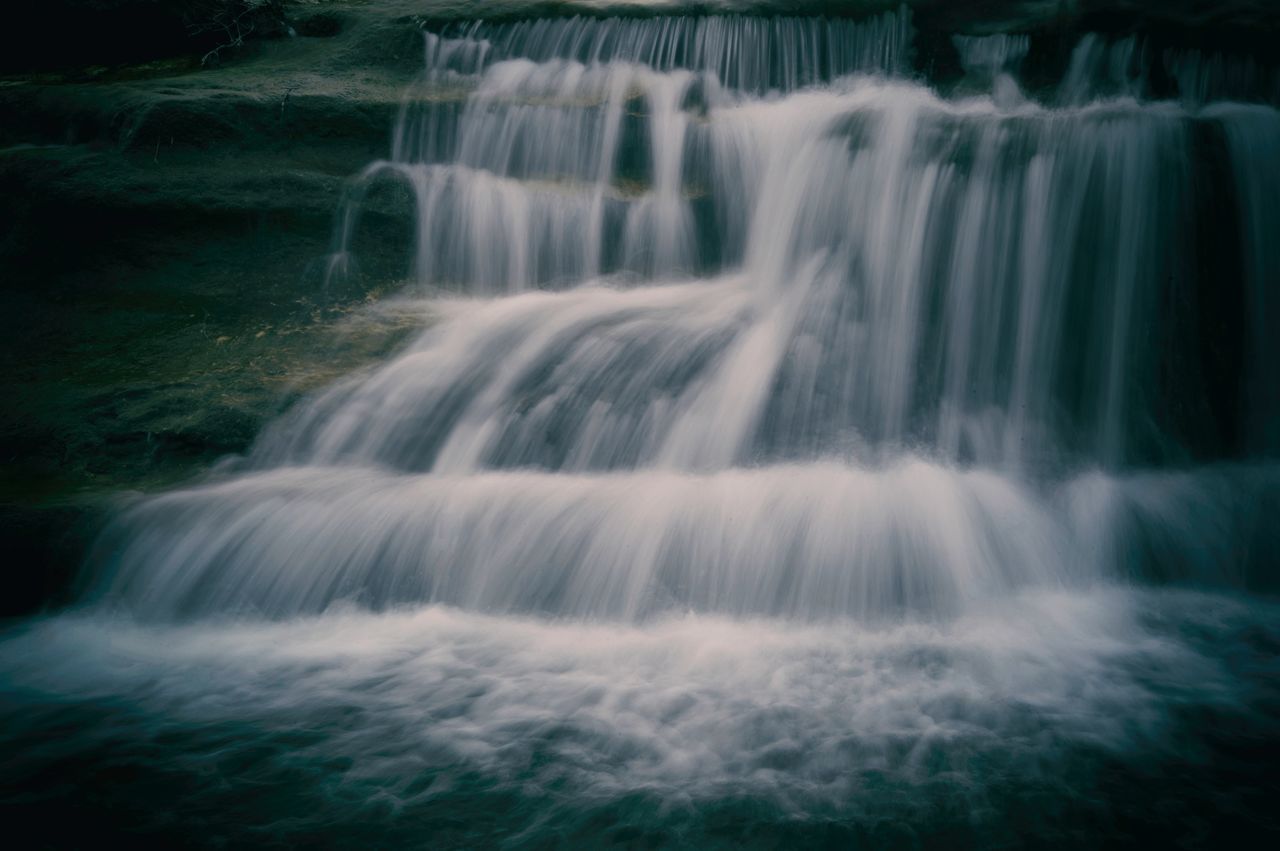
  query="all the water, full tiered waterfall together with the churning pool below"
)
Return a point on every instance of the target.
[{"x": 801, "y": 452}]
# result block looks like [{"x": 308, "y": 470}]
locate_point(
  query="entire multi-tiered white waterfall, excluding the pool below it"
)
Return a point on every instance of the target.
[{"x": 803, "y": 338}]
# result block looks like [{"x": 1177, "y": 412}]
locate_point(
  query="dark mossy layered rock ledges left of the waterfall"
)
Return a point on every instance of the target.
[{"x": 162, "y": 239}]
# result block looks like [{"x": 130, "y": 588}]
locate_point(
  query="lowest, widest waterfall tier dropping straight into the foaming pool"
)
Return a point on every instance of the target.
[{"x": 806, "y": 543}]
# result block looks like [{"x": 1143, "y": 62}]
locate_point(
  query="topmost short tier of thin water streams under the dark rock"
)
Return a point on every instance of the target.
[{"x": 788, "y": 52}]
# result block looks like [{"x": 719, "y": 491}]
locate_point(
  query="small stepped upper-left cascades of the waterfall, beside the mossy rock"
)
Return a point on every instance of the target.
[{"x": 564, "y": 159}]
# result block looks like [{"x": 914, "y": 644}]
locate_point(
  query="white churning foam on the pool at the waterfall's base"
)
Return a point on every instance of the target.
[{"x": 820, "y": 719}]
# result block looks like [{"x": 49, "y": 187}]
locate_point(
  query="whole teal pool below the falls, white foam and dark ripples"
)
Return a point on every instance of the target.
[{"x": 1055, "y": 717}]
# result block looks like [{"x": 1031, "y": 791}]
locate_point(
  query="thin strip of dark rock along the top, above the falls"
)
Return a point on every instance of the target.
[{"x": 70, "y": 34}]
